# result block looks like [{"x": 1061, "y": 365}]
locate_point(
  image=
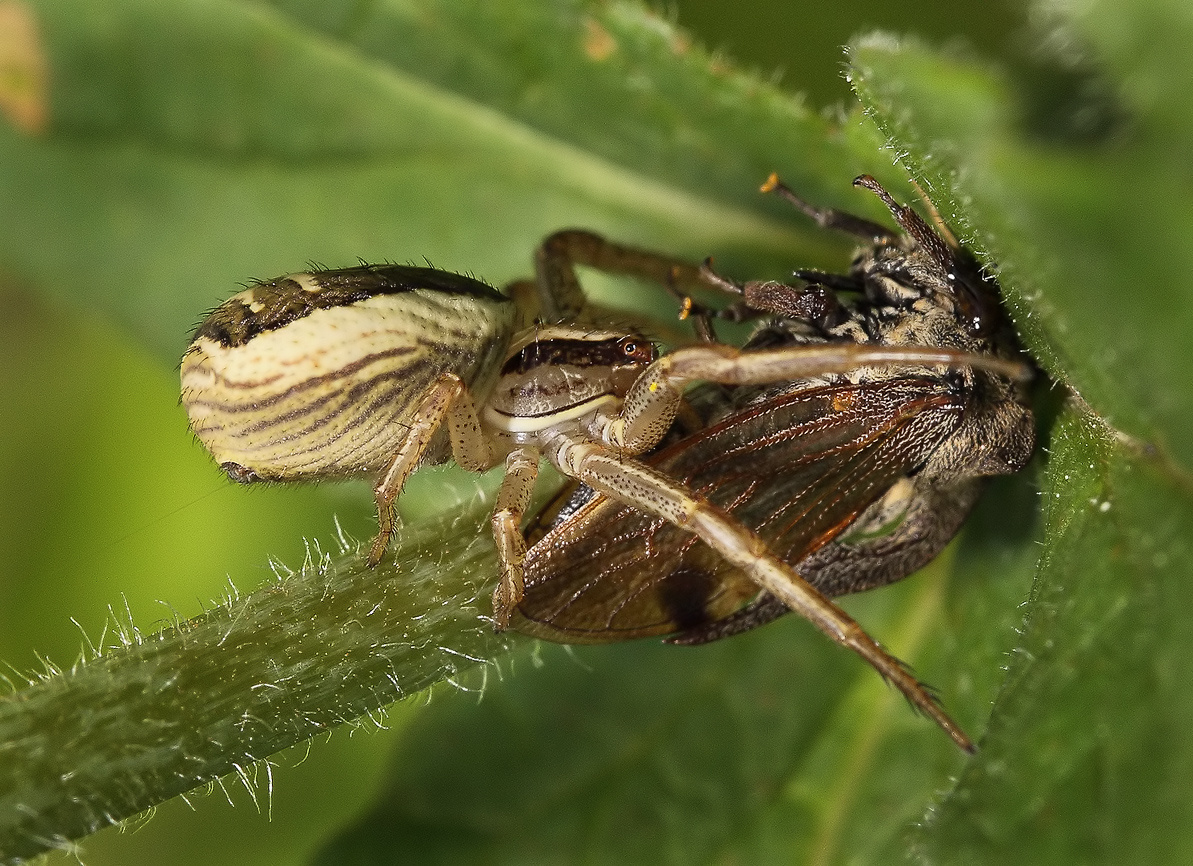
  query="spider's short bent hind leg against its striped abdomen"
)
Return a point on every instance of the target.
[{"x": 447, "y": 400}]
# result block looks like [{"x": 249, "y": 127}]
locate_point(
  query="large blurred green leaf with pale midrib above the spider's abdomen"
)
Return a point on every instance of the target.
[{"x": 196, "y": 145}]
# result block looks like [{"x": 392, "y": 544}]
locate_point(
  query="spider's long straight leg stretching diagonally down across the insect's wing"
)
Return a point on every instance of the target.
[{"x": 653, "y": 493}]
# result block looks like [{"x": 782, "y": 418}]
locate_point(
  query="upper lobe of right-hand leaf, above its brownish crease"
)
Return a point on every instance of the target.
[{"x": 1084, "y": 237}]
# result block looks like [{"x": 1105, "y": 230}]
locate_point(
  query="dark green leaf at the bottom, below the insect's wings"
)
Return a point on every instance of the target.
[{"x": 772, "y": 747}]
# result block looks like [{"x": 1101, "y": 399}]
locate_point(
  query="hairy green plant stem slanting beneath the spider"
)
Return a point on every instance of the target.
[{"x": 160, "y": 715}]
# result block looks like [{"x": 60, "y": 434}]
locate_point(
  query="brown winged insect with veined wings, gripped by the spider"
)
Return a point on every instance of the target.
[{"x": 857, "y": 481}]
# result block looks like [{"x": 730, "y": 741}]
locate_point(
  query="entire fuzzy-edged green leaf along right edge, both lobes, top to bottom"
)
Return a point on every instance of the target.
[{"x": 1083, "y": 214}]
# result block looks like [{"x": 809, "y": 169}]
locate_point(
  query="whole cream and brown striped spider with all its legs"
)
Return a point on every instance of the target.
[{"x": 354, "y": 374}]
